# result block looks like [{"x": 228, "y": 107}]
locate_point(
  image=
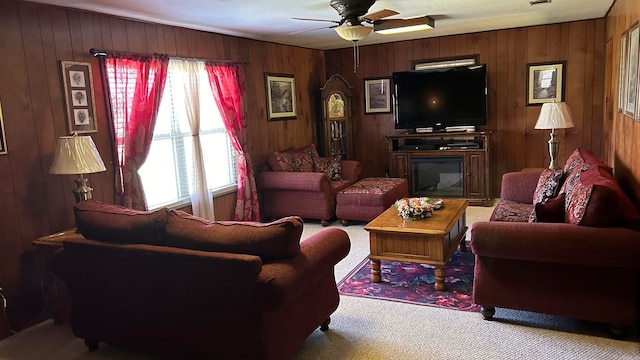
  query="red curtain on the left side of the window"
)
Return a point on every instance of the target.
[{"x": 136, "y": 83}]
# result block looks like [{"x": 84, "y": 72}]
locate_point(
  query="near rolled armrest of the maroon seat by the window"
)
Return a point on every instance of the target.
[{"x": 301, "y": 181}]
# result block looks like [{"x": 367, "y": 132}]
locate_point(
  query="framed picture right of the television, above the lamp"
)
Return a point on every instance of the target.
[{"x": 545, "y": 82}]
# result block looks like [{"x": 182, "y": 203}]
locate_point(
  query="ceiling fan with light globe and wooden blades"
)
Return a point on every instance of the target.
[{"x": 353, "y": 14}]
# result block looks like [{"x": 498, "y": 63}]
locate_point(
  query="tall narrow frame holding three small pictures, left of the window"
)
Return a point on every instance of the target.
[{"x": 78, "y": 93}]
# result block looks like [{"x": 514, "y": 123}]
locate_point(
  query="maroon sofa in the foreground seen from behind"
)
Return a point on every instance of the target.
[{"x": 183, "y": 287}]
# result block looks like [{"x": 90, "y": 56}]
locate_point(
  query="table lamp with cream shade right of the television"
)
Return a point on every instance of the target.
[{"x": 554, "y": 116}]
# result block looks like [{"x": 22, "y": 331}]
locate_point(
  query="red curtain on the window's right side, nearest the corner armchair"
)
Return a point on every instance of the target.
[{"x": 227, "y": 84}]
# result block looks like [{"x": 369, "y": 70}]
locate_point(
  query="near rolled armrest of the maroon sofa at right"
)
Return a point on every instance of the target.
[{"x": 557, "y": 243}]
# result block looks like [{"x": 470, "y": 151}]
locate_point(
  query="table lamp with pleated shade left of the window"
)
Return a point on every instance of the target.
[{"x": 77, "y": 155}]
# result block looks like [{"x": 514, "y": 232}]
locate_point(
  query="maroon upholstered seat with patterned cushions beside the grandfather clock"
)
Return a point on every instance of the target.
[{"x": 301, "y": 183}]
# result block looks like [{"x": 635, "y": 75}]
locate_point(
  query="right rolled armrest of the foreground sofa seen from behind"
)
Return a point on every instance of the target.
[{"x": 287, "y": 278}]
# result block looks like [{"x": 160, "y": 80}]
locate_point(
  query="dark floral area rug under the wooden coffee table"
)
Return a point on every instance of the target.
[{"x": 414, "y": 283}]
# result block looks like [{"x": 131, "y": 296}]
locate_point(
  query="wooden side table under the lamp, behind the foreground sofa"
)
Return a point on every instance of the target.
[{"x": 53, "y": 289}]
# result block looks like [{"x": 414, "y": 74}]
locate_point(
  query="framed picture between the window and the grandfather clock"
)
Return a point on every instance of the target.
[{"x": 281, "y": 96}]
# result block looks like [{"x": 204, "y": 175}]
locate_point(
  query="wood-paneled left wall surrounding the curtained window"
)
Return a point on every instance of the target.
[{"x": 33, "y": 39}]
